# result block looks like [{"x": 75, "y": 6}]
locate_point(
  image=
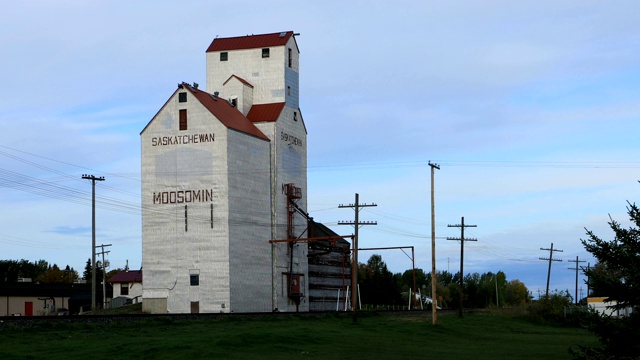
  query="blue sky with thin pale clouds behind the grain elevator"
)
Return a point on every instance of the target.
[{"x": 530, "y": 108}]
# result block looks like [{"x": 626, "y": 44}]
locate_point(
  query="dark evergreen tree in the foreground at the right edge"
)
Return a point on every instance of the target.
[{"x": 616, "y": 277}]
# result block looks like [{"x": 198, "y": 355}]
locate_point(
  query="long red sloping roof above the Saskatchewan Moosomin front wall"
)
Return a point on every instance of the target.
[{"x": 228, "y": 115}]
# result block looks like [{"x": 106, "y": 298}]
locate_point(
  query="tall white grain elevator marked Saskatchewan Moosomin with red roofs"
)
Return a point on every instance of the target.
[{"x": 223, "y": 172}]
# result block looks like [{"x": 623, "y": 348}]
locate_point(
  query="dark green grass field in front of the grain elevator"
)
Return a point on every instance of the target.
[{"x": 374, "y": 336}]
